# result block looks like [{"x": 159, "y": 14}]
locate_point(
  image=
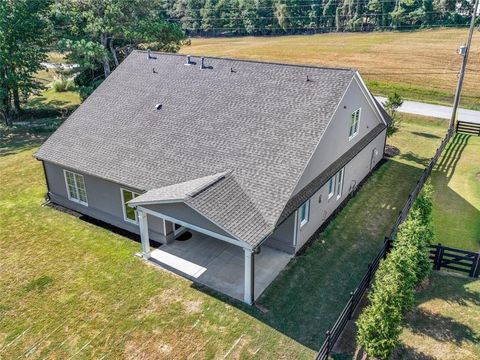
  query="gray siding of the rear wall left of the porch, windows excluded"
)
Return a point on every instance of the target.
[{"x": 104, "y": 201}]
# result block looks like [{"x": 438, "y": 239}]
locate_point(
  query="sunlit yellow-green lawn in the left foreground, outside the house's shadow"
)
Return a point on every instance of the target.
[{"x": 70, "y": 288}]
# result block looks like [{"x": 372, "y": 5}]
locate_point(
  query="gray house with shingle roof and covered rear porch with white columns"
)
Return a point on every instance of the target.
[{"x": 249, "y": 157}]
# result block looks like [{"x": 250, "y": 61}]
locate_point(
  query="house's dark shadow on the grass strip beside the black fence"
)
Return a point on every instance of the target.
[{"x": 308, "y": 296}]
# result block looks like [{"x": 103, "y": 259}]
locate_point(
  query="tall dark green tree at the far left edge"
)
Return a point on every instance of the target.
[{"x": 24, "y": 35}]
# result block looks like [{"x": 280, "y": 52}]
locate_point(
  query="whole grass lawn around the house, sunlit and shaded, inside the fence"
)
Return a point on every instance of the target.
[{"x": 73, "y": 289}]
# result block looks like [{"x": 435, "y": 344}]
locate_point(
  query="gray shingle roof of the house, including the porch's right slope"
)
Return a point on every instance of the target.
[{"x": 260, "y": 121}]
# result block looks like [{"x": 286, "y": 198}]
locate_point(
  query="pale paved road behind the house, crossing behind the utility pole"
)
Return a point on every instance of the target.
[{"x": 439, "y": 111}]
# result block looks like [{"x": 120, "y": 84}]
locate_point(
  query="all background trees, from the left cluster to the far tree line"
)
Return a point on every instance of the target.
[{"x": 98, "y": 34}]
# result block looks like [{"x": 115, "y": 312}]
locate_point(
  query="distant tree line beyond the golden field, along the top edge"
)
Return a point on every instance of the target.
[{"x": 266, "y": 17}]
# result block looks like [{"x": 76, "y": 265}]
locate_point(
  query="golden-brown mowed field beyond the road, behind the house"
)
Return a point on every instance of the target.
[{"x": 420, "y": 65}]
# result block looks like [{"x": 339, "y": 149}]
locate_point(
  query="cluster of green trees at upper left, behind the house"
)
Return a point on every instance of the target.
[{"x": 94, "y": 34}]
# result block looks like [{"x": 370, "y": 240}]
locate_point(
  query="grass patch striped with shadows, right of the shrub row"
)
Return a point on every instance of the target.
[{"x": 445, "y": 323}]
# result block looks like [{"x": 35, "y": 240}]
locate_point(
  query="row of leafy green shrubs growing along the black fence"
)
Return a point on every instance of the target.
[{"x": 393, "y": 289}]
